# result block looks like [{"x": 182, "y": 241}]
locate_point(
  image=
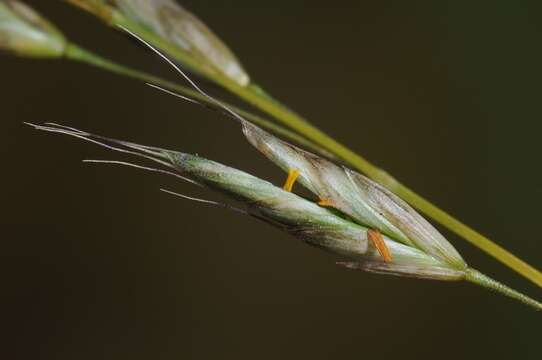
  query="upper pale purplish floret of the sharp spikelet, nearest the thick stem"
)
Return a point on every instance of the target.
[{"x": 355, "y": 195}]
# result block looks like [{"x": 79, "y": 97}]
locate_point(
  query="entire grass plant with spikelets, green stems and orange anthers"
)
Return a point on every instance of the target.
[{"x": 402, "y": 241}]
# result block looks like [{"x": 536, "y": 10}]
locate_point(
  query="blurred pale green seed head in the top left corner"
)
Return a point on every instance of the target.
[{"x": 26, "y": 33}]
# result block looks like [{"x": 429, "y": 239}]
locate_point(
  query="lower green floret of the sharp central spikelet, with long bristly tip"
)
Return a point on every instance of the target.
[{"x": 318, "y": 226}]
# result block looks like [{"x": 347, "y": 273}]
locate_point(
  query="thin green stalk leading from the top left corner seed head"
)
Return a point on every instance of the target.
[{"x": 74, "y": 52}]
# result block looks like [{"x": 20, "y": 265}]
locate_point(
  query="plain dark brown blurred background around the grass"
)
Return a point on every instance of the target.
[{"x": 98, "y": 264}]
